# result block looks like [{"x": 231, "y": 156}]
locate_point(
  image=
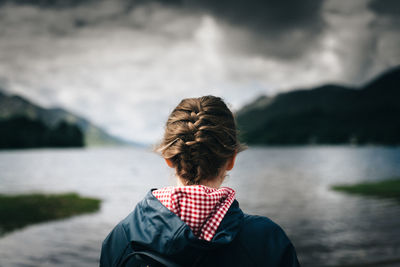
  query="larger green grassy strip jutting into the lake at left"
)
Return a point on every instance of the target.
[{"x": 18, "y": 211}]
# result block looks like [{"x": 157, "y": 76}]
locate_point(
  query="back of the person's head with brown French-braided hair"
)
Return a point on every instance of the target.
[{"x": 200, "y": 137}]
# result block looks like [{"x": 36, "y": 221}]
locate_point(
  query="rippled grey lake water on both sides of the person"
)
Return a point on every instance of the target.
[{"x": 289, "y": 185}]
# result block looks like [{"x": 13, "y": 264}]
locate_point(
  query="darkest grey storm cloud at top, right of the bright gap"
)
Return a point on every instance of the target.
[{"x": 283, "y": 29}]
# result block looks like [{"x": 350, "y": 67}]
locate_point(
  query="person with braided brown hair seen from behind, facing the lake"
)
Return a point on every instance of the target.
[{"x": 198, "y": 222}]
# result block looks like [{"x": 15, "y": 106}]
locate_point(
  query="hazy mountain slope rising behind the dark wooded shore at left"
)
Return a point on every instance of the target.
[{"x": 12, "y": 106}]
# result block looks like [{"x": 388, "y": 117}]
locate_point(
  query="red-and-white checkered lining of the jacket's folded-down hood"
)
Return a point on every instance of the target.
[{"x": 200, "y": 207}]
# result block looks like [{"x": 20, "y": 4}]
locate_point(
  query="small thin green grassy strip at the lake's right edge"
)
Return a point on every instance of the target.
[{"x": 387, "y": 189}]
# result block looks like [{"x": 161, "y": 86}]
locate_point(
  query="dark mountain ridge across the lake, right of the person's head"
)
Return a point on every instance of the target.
[{"x": 329, "y": 114}]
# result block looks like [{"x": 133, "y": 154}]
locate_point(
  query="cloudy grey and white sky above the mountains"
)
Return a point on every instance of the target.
[{"x": 126, "y": 64}]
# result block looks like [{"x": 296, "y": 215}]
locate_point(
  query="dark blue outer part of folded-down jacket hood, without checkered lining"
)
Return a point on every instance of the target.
[{"x": 153, "y": 226}]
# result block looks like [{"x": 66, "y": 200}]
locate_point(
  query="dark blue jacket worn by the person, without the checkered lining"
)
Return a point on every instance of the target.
[{"x": 241, "y": 239}]
